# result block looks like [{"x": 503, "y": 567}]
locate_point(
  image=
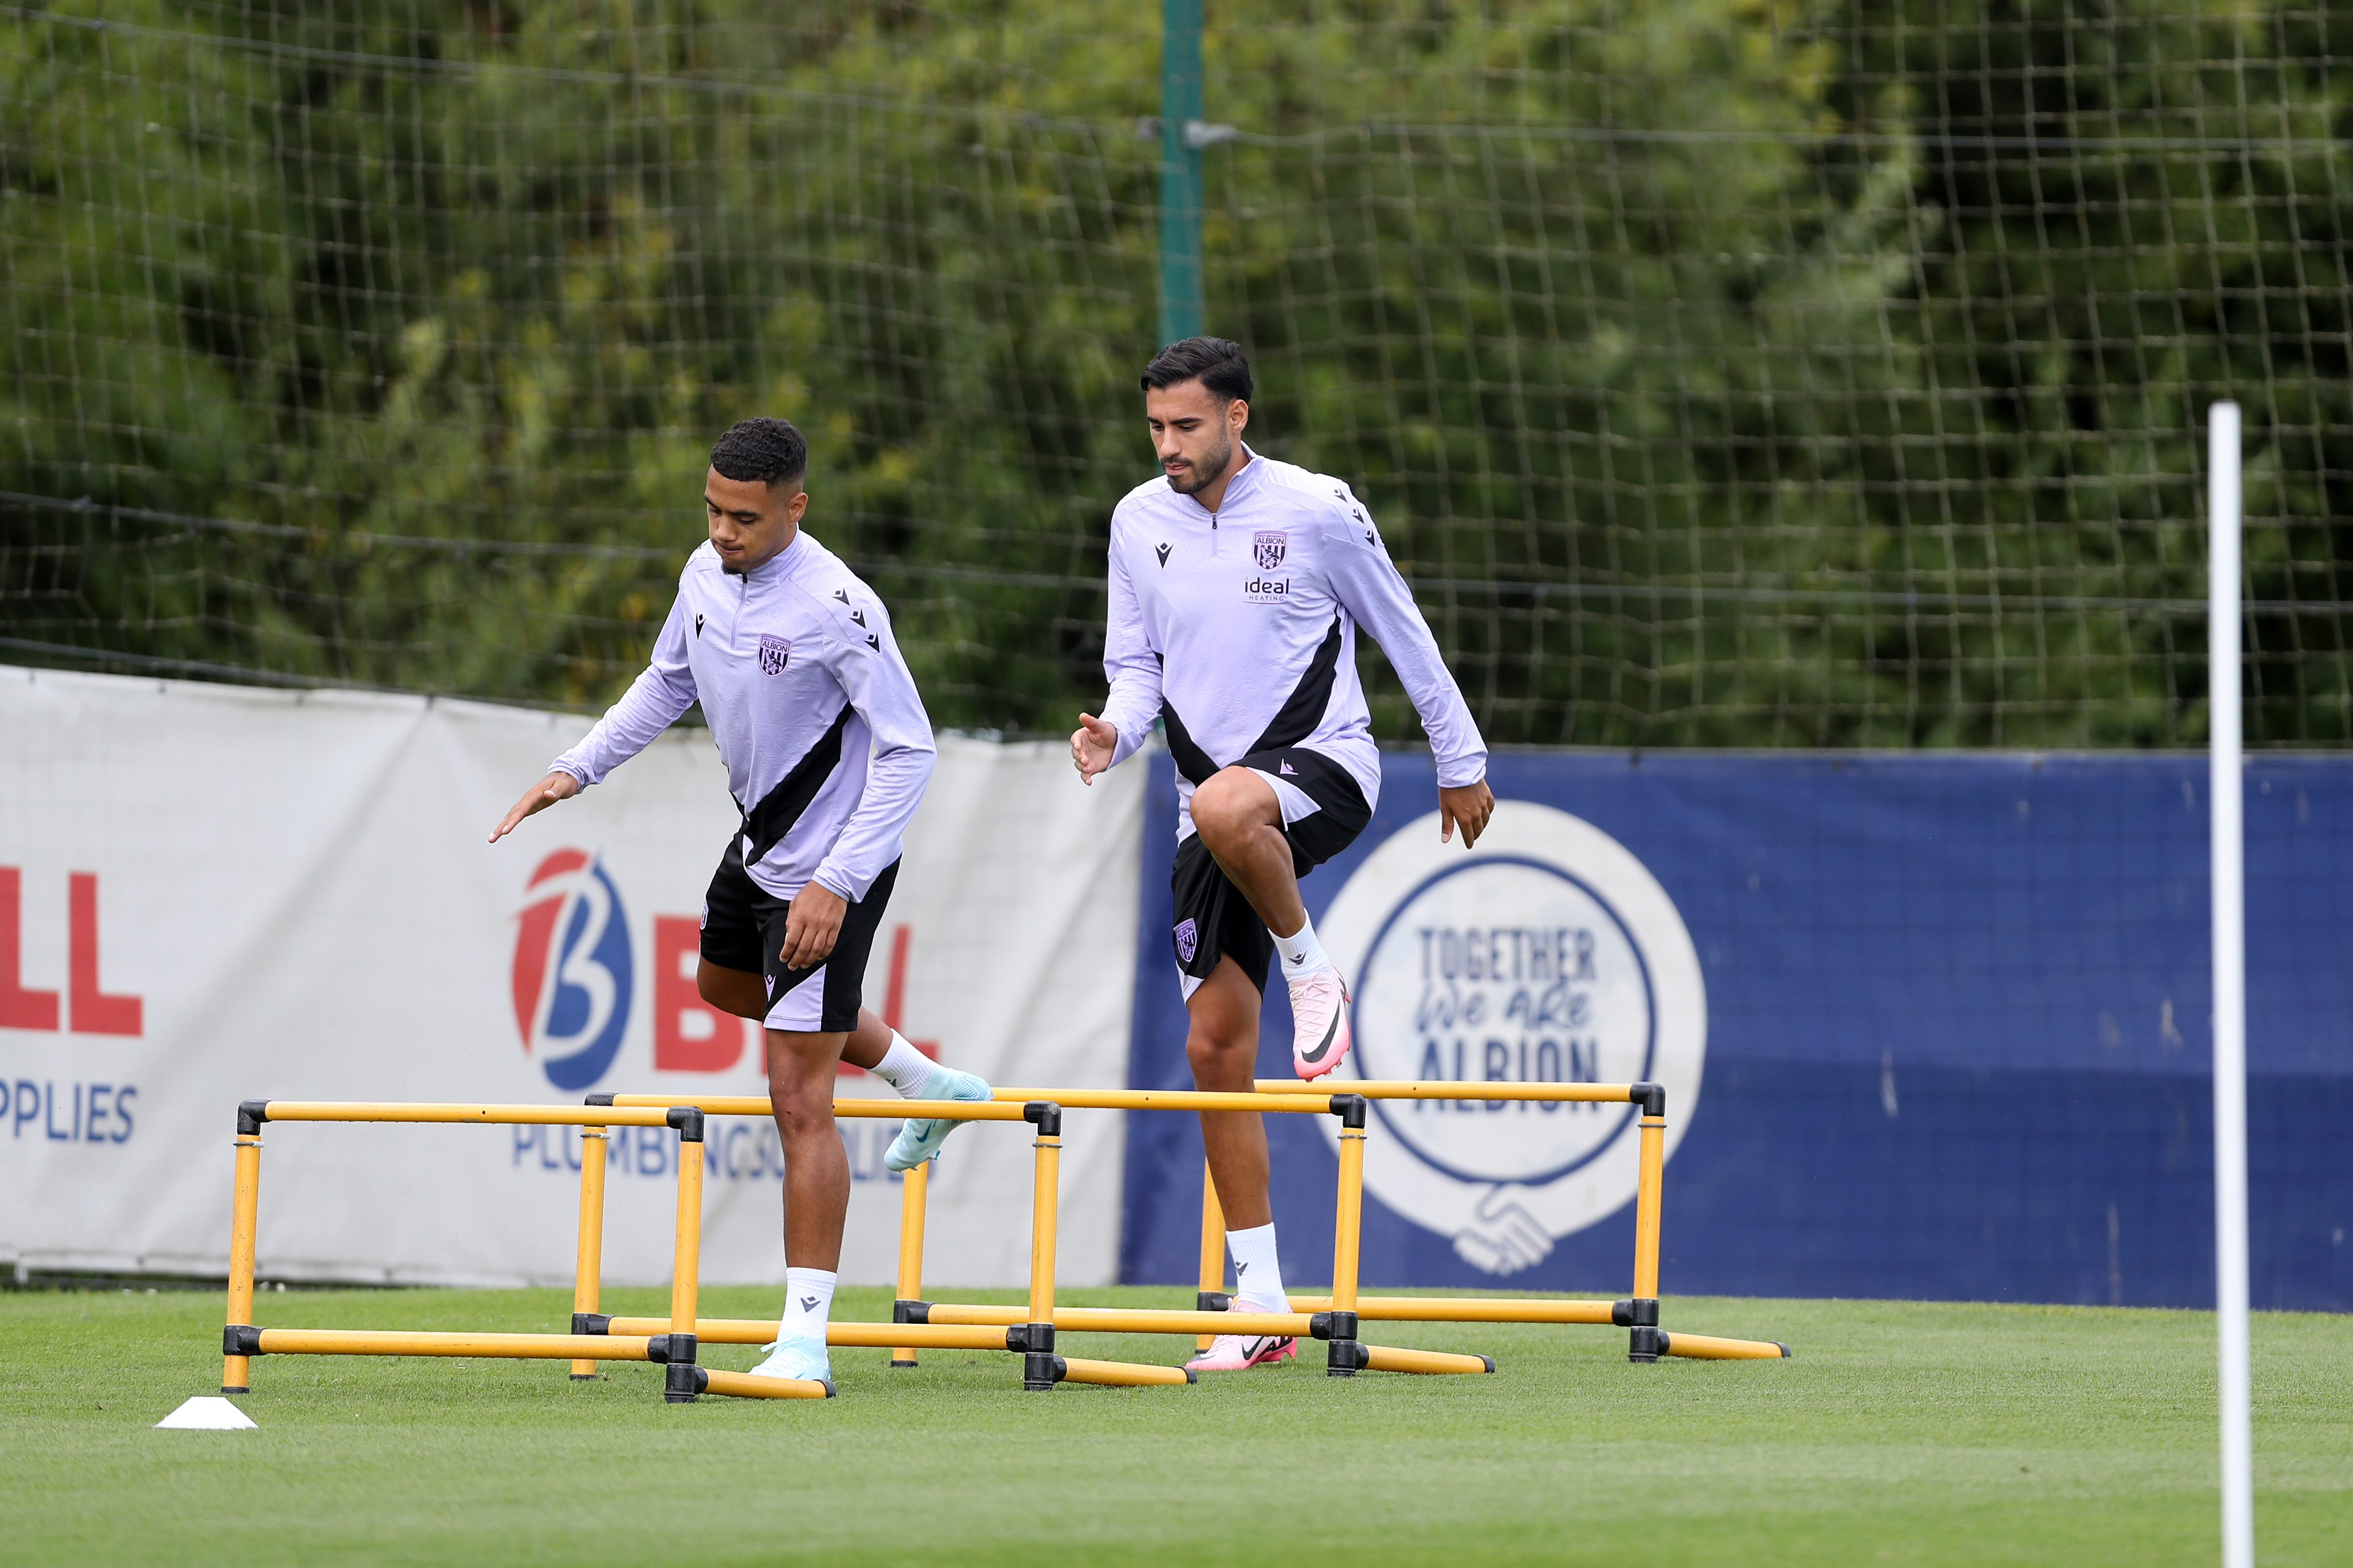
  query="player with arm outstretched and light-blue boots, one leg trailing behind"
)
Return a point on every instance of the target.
[{"x": 827, "y": 753}]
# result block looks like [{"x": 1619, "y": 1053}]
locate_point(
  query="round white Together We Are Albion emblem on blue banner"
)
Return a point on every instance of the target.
[{"x": 1549, "y": 956}]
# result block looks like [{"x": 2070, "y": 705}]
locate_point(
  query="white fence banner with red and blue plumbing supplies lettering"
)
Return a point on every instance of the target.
[{"x": 218, "y": 894}]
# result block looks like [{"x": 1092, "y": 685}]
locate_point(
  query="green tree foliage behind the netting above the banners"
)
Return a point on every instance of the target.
[{"x": 1724, "y": 373}]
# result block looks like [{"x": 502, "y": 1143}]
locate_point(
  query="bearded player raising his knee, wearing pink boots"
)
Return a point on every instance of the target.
[{"x": 1237, "y": 594}]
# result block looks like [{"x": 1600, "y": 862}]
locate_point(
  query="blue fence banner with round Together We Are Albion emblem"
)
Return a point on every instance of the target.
[{"x": 1957, "y": 1031}]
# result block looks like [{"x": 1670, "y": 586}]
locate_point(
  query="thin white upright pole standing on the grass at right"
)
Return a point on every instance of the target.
[{"x": 2229, "y": 986}]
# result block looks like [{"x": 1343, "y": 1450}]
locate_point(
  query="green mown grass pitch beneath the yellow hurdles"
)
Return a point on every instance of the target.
[{"x": 1900, "y": 1435}]
